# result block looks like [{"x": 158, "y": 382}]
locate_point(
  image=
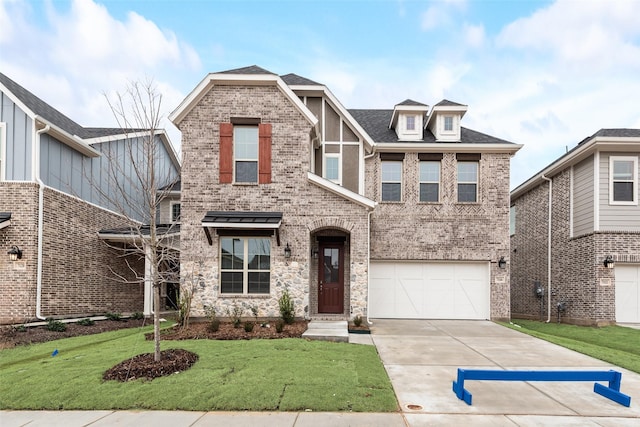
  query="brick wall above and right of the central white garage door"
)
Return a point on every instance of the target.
[{"x": 448, "y": 230}]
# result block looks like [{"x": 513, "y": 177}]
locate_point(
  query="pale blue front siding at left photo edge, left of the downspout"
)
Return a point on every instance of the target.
[{"x": 19, "y": 135}]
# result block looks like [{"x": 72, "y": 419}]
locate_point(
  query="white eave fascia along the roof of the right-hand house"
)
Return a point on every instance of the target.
[{"x": 577, "y": 155}]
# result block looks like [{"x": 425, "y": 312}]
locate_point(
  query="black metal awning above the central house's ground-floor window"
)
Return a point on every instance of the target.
[{"x": 263, "y": 222}]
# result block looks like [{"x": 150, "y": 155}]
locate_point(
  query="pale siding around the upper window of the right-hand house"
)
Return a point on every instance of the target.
[{"x": 615, "y": 217}]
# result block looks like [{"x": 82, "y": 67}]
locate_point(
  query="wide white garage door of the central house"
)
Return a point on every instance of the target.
[{"x": 409, "y": 290}]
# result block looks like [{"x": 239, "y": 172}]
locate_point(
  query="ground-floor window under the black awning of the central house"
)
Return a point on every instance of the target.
[{"x": 245, "y": 265}]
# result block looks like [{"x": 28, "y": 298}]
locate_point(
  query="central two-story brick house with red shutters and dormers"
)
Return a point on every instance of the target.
[{"x": 398, "y": 213}]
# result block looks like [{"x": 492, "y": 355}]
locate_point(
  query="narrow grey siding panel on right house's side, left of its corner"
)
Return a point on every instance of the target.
[{"x": 583, "y": 215}]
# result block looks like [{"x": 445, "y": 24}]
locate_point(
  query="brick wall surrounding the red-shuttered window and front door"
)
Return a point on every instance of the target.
[{"x": 307, "y": 209}]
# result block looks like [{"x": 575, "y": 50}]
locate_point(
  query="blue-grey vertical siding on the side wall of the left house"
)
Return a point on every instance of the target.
[{"x": 90, "y": 179}]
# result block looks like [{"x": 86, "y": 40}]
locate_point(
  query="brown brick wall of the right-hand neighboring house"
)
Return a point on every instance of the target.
[{"x": 578, "y": 276}]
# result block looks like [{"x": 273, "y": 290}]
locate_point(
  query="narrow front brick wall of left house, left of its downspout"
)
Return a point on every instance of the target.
[{"x": 18, "y": 278}]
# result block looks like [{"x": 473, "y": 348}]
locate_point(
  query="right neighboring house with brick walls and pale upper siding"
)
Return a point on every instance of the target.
[{"x": 575, "y": 235}]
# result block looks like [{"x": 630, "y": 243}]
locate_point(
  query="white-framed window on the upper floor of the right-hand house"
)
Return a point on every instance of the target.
[{"x": 623, "y": 178}]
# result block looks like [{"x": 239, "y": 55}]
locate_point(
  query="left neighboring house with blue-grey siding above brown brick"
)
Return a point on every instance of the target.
[{"x": 53, "y": 176}]
